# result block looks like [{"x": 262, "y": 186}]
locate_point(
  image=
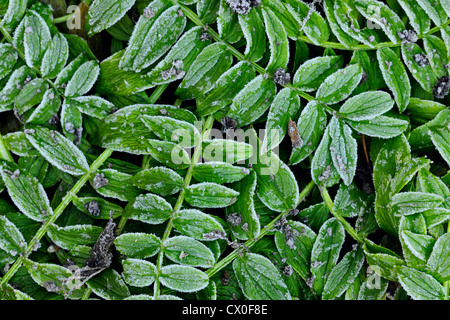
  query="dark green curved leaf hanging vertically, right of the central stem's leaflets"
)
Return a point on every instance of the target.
[{"x": 247, "y": 225}]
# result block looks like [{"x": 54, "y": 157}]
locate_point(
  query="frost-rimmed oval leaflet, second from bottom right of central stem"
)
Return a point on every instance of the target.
[{"x": 188, "y": 251}]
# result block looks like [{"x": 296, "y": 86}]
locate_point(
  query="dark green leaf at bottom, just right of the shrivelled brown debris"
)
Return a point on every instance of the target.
[{"x": 109, "y": 285}]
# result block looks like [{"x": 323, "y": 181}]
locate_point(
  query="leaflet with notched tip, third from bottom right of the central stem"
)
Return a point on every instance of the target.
[{"x": 196, "y": 224}]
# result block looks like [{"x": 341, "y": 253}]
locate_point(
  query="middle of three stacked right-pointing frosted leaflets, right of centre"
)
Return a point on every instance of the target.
[{"x": 367, "y": 106}]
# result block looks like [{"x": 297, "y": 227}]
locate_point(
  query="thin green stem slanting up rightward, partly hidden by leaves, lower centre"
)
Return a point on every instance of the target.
[{"x": 250, "y": 243}]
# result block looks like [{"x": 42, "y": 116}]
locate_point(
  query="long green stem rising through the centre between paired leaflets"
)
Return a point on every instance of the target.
[{"x": 187, "y": 180}]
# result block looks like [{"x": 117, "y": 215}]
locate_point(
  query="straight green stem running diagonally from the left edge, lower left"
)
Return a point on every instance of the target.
[{"x": 58, "y": 211}]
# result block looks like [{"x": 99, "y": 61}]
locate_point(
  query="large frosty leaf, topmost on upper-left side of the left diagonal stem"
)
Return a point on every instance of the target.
[{"x": 57, "y": 150}]
